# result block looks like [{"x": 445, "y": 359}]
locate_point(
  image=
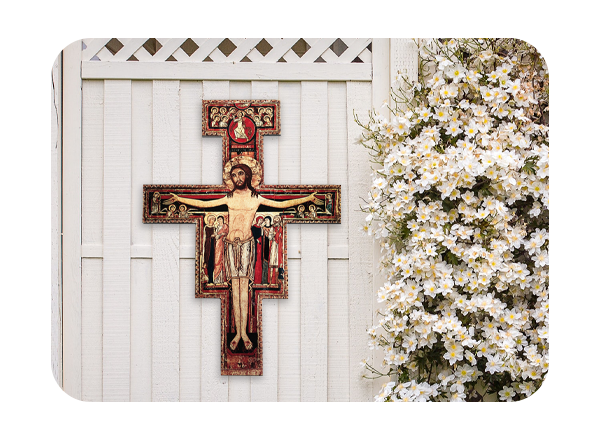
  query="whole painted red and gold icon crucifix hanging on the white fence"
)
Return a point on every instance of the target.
[{"x": 241, "y": 234}]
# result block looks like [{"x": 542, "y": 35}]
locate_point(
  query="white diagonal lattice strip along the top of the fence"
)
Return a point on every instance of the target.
[{"x": 229, "y": 50}]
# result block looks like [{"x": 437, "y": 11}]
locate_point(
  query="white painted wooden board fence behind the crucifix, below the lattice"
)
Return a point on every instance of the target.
[{"x": 135, "y": 331}]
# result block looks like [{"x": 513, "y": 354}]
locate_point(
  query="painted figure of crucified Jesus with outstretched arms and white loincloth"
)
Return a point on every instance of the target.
[{"x": 240, "y": 255}]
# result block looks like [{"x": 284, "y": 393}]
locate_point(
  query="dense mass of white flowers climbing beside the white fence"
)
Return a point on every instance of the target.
[{"x": 460, "y": 203}]
